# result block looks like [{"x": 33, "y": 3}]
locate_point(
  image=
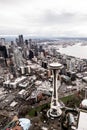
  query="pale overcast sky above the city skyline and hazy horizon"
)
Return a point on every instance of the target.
[{"x": 47, "y": 18}]
